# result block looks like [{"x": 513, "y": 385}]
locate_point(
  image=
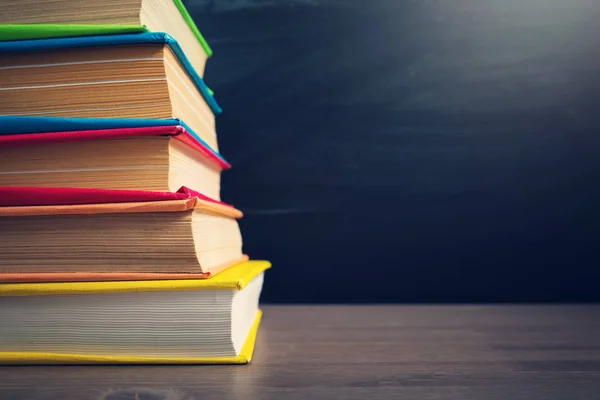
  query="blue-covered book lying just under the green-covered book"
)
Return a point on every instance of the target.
[{"x": 145, "y": 75}]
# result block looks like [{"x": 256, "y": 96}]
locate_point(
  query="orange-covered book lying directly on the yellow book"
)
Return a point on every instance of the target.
[{"x": 69, "y": 231}]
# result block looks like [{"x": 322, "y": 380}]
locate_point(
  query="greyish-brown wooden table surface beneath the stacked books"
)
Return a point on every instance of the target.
[{"x": 365, "y": 352}]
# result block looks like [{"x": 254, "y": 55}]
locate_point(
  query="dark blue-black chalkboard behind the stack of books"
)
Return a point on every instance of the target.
[{"x": 412, "y": 151}]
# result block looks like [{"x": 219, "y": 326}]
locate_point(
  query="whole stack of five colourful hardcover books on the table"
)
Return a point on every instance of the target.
[{"x": 115, "y": 246}]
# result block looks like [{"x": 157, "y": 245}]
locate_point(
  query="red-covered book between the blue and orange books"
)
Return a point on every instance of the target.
[{"x": 155, "y": 158}]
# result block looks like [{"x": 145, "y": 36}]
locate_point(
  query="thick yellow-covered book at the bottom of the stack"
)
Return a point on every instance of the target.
[{"x": 212, "y": 321}]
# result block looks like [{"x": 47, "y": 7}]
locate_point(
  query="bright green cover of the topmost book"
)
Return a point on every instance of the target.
[{"x": 43, "y": 31}]
